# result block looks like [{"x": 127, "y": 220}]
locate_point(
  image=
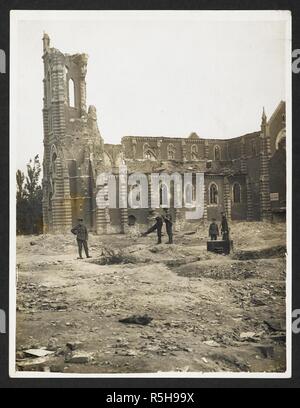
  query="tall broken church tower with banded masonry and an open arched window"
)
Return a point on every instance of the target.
[{"x": 73, "y": 146}]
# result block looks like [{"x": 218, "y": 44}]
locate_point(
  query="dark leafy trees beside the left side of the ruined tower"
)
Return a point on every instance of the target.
[{"x": 29, "y": 199}]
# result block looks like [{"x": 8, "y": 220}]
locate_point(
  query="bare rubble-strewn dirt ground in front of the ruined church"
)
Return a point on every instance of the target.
[{"x": 210, "y": 312}]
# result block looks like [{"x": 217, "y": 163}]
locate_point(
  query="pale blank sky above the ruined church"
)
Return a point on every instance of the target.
[{"x": 157, "y": 74}]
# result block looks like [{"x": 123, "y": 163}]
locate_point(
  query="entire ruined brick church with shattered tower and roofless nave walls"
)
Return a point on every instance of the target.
[{"x": 245, "y": 176}]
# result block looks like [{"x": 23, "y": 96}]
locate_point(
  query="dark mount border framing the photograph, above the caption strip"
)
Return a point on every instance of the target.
[{"x": 188, "y": 384}]
